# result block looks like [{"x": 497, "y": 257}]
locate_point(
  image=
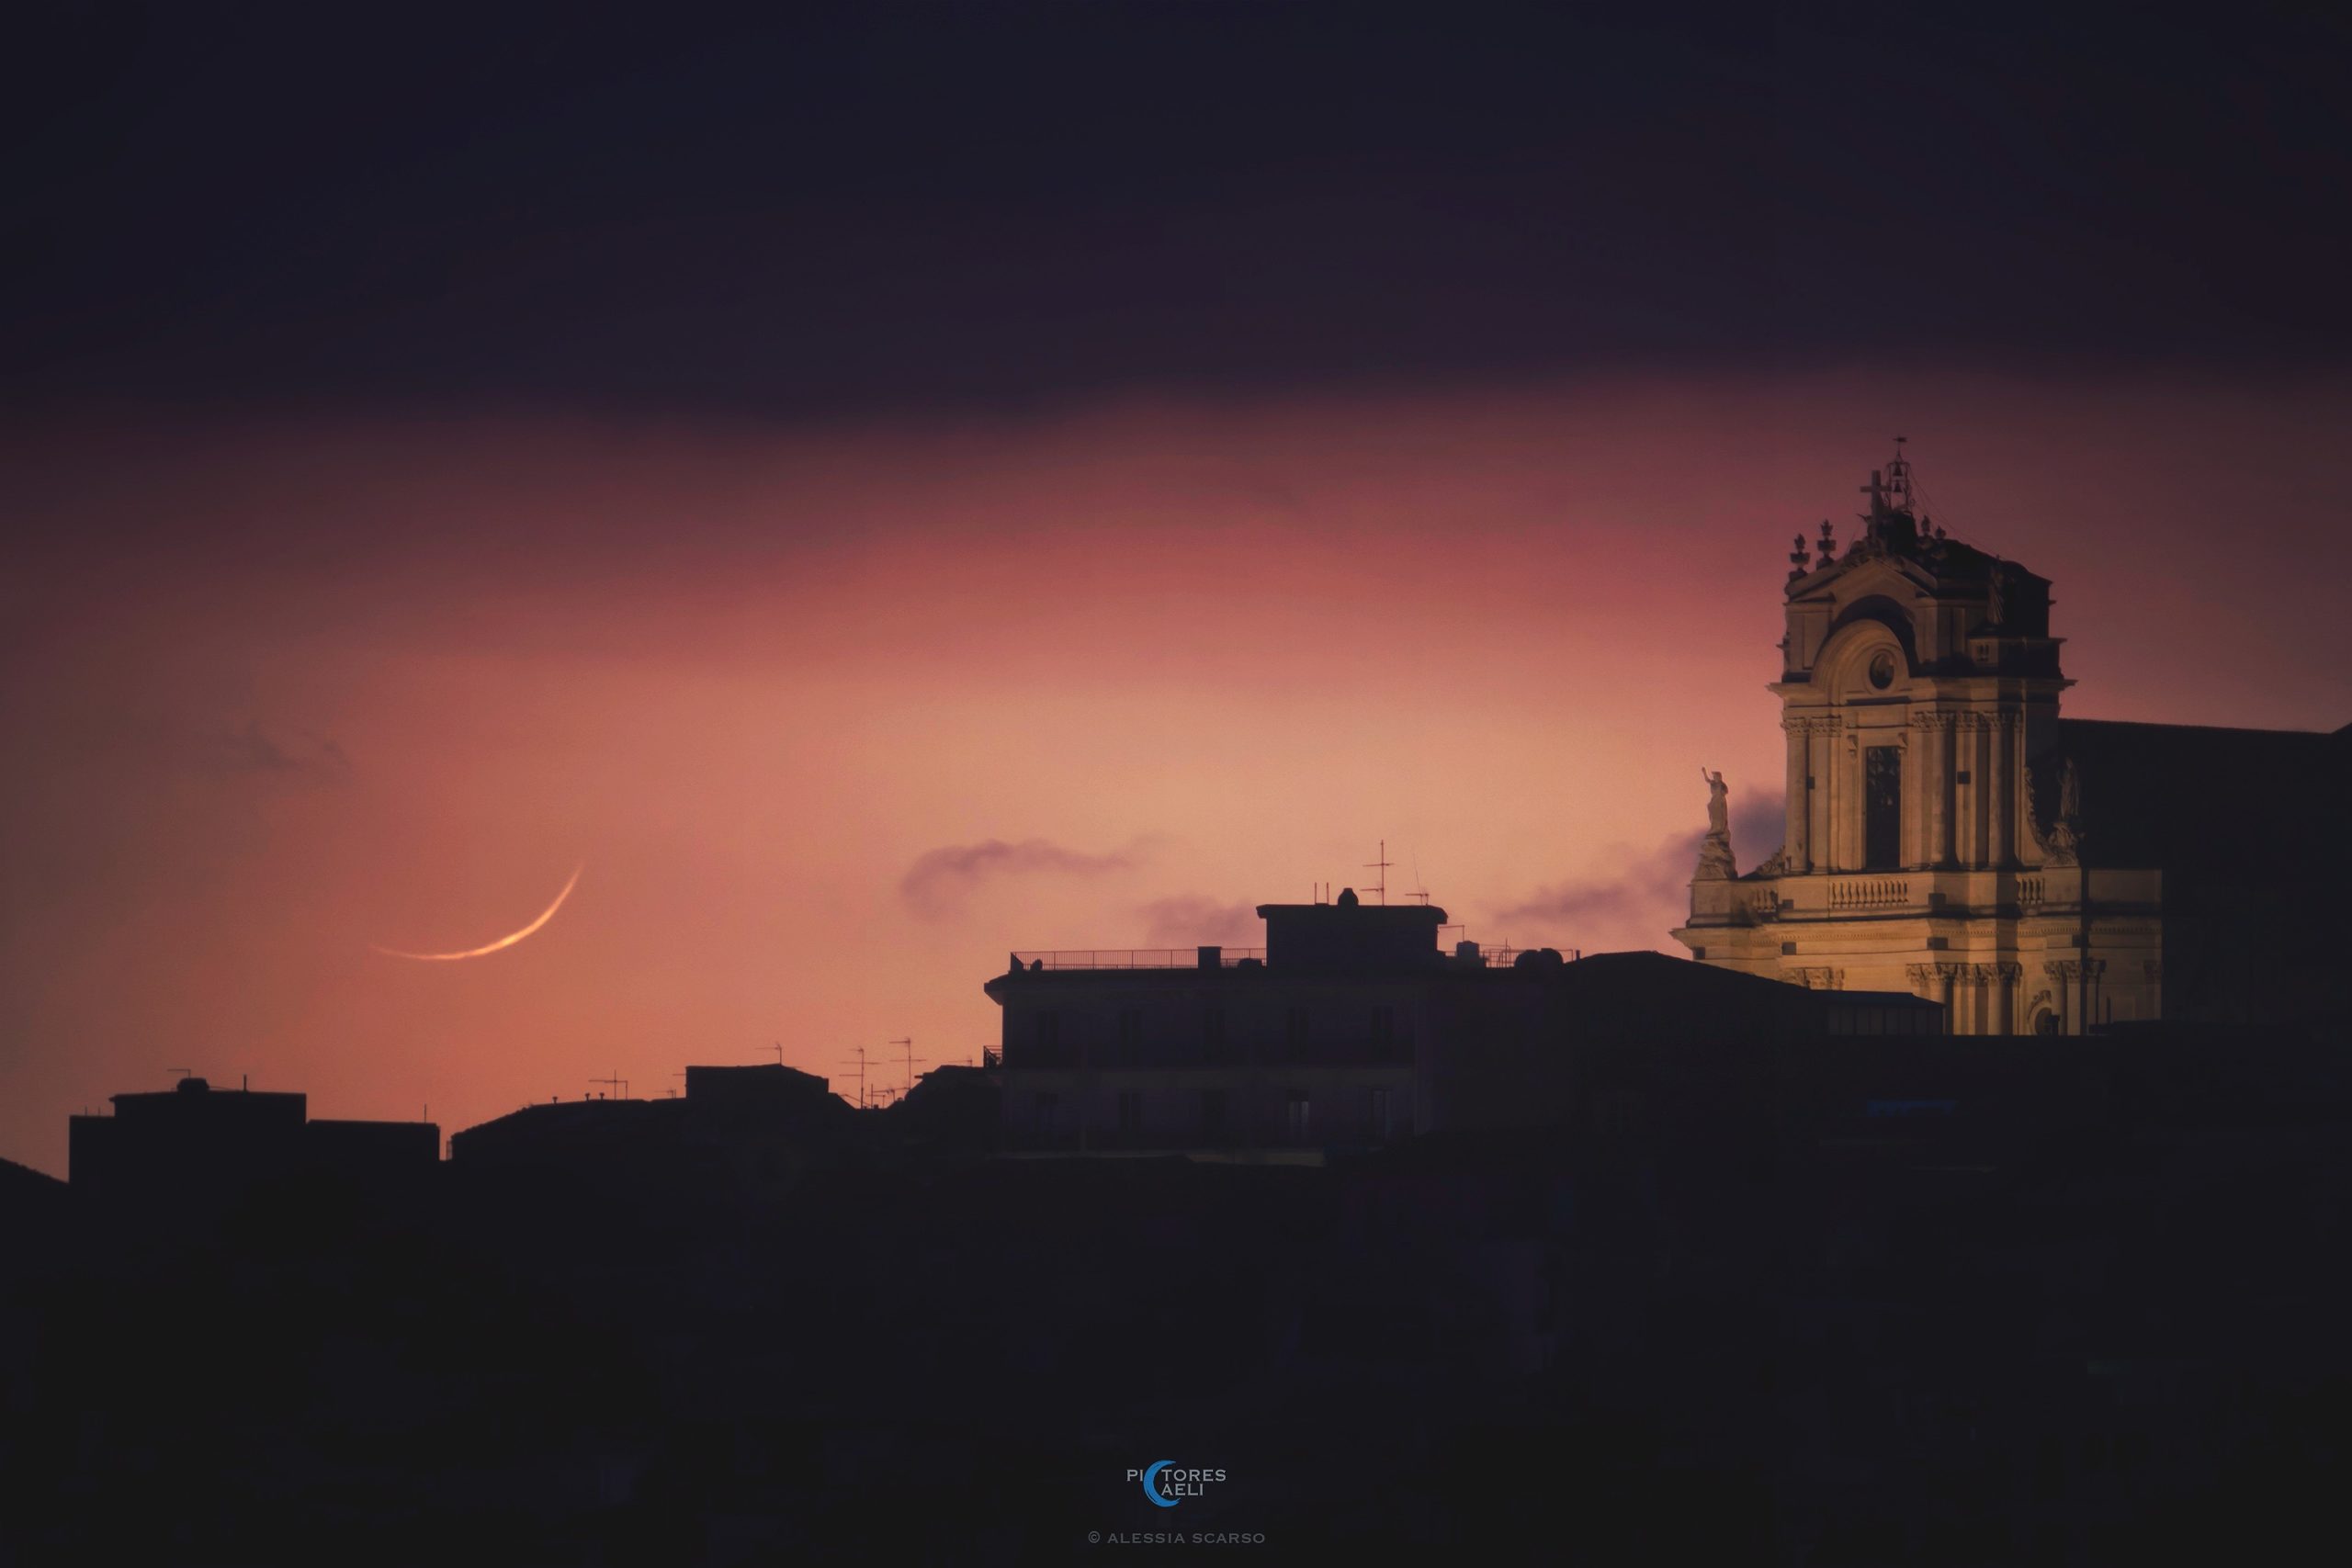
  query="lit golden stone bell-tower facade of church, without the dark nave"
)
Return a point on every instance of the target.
[{"x": 1923, "y": 850}]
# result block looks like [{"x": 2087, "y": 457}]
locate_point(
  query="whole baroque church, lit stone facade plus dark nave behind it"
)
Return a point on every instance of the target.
[{"x": 1949, "y": 833}]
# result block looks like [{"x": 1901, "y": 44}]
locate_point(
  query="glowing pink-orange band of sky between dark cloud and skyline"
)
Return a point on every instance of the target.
[{"x": 286, "y": 688}]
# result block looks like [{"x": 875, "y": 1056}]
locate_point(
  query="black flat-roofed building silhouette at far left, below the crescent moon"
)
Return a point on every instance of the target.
[{"x": 203, "y": 1141}]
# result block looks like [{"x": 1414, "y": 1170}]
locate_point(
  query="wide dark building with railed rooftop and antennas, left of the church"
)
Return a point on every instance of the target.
[{"x": 1354, "y": 1031}]
